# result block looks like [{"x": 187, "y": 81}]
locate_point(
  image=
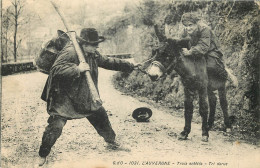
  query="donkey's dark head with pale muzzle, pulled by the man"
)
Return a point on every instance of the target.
[{"x": 166, "y": 58}]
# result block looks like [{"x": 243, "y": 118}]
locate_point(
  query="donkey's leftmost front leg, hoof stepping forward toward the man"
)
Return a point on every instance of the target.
[{"x": 188, "y": 111}]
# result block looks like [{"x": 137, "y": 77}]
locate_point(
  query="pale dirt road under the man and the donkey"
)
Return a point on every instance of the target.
[{"x": 151, "y": 144}]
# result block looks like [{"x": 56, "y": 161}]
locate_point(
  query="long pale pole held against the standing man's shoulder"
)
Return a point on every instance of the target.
[{"x": 96, "y": 101}]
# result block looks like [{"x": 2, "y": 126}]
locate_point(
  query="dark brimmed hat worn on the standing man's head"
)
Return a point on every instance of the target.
[{"x": 90, "y": 36}]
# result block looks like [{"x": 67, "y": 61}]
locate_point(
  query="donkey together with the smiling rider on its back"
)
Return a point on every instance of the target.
[{"x": 201, "y": 67}]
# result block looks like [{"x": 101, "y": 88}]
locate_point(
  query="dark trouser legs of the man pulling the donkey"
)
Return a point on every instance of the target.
[{"x": 53, "y": 131}]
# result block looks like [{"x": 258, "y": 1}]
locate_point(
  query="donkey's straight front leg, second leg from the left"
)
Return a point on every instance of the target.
[{"x": 203, "y": 110}]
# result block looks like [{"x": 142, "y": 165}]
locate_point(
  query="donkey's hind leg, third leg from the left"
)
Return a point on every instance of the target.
[{"x": 212, "y": 106}]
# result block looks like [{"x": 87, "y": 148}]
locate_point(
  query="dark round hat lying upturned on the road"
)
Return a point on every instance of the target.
[{"x": 144, "y": 112}]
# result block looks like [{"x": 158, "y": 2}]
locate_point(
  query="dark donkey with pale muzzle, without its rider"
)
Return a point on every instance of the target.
[{"x": 195, "y": 77}]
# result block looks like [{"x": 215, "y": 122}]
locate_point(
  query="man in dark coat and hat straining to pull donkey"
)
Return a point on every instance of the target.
[{"x": 68, "y": 96}]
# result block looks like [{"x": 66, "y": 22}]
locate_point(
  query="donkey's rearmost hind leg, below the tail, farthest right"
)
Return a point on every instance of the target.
[{"x": 224, "y": 106}]
